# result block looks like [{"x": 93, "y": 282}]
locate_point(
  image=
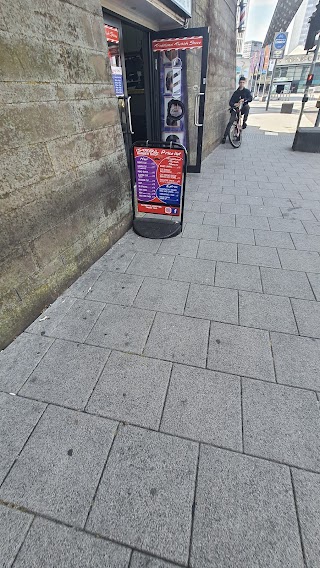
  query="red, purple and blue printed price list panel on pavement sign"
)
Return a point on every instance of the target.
[{"x": 159, "y": 175}]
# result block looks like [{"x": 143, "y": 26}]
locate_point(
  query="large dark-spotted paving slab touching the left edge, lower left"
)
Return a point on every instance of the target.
[{"x": 60, "y": 466}]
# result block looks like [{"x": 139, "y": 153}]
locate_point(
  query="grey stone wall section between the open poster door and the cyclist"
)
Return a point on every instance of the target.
[{"x": 220, "y": 16}]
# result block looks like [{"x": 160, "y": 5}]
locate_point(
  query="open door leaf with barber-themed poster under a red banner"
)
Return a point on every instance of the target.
[{"x": 180, "y": 66}]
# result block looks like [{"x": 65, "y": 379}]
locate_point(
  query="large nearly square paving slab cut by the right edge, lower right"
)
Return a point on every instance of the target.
[{"x": 281, "y": 423}]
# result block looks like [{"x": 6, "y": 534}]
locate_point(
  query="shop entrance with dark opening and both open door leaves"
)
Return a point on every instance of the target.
[{"x": 160, "y": 80}]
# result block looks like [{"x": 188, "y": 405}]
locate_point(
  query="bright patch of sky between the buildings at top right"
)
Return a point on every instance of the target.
[{"x": 260, "y": 14}]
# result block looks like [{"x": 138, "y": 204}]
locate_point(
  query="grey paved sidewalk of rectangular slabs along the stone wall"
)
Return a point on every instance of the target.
[{"x": 164, "y": 410}]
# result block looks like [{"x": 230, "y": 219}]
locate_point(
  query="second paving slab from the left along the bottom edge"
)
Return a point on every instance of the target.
[{"x": 51, "y": 545}]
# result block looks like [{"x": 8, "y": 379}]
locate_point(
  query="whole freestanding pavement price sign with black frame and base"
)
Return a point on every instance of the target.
[{"x": 158, "y": 188}]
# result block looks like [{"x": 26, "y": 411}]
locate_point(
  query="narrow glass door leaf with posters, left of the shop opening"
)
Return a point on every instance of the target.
[{"x": 113, "y": 30}]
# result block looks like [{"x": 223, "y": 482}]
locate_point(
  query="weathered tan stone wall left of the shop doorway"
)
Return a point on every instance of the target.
[{"x": 65, "y": 192}]
